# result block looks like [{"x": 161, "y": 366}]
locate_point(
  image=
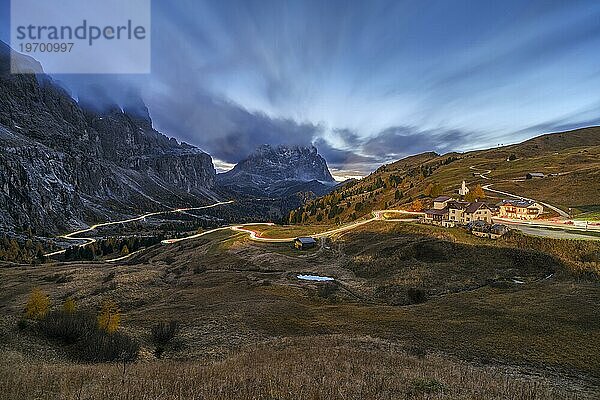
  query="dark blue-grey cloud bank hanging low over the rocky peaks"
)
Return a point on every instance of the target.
[{"x": 188, "y": 112}]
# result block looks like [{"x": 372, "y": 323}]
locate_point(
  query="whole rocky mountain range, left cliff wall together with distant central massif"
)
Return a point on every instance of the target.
[{"x": 65, "y": 164}]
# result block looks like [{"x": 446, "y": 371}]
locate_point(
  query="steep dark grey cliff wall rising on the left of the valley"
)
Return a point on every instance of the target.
[{"x": 63, "y": 164}]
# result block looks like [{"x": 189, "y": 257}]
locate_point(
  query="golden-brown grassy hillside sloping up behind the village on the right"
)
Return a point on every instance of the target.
[{"x": 573, "y": 159}]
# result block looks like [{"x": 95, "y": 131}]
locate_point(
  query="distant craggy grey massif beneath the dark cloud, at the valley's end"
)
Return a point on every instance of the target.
[{"x": 280, "y": 171}]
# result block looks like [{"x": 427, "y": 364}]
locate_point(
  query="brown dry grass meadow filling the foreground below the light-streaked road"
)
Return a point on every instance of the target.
[{"x": 414, "y": 312}]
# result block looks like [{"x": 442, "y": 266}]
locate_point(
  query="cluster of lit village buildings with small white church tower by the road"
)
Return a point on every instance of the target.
[{"x": 478, "y": 216}]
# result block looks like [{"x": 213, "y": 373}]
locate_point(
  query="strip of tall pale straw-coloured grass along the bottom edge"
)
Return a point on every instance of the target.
[{"x": 308, "y": 368}]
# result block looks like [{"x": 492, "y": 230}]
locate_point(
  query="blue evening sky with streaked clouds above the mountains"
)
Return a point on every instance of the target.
[{"x": 366, "y": 82}]
